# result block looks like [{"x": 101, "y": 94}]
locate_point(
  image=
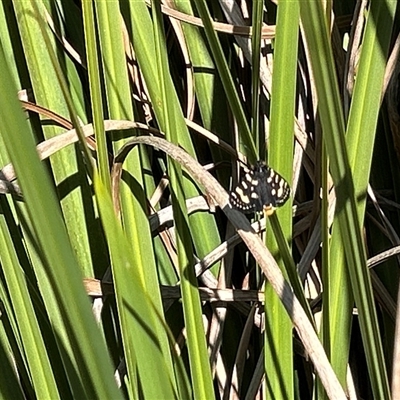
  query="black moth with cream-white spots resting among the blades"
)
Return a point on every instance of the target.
[{"x": 260, "y": 189}]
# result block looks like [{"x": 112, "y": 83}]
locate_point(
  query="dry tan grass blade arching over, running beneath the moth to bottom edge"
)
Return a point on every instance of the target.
[{"x": 267, "y": 263}]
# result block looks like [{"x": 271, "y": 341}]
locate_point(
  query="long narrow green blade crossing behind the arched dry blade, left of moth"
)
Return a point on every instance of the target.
[{"x": 196, "y": 342}]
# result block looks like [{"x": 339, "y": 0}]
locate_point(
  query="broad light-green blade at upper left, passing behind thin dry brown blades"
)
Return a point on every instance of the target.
[{"x": 48, "y": 93}]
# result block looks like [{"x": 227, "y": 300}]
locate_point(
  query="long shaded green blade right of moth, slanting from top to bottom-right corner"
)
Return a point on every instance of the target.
[{"x": 332, "y": 120}]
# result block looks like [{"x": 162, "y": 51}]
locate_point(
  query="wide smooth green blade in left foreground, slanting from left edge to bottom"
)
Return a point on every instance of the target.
[{"x": 61, "y": 267}]
